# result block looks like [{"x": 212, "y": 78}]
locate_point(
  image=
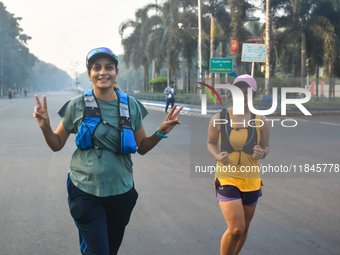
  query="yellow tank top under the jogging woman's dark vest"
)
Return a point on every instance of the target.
[{"x": 243, "y": 169}]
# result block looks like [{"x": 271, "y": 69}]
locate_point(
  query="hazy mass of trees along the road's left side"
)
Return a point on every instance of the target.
[{"x": 19, "y": 69}]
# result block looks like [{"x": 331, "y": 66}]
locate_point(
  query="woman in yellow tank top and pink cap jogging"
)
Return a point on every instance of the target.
[{"x": 244, "y": 139}]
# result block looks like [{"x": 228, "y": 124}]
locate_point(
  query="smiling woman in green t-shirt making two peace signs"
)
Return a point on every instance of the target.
[{"x": 109, "y": 127}]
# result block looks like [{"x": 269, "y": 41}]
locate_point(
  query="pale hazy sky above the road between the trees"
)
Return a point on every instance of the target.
[{"x": 64, "y": 31}]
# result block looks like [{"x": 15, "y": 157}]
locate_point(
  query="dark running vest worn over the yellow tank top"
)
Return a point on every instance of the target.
[{"x": 226, "y": 143}]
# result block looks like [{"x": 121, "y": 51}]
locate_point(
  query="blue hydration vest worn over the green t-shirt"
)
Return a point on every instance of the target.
[{"x": 92, "y": 117}]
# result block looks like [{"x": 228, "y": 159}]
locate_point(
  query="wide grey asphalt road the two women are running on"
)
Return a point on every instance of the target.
[{"x": 176, "y": 212}]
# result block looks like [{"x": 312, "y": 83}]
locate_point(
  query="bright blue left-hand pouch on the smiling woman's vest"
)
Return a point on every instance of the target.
[{"x": 85, "y": 131}]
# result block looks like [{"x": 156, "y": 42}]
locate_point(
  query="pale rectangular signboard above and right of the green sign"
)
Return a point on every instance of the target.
[{"x": 252, "y": 52}]
